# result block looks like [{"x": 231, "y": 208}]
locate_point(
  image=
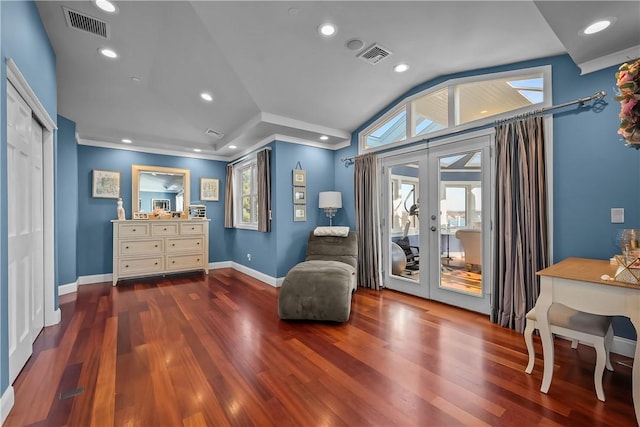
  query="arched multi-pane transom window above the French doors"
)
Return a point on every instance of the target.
[{"x": 458, "y": 105}]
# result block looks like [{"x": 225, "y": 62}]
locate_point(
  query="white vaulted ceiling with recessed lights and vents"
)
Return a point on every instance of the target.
[{"x": 272, "y": 74}]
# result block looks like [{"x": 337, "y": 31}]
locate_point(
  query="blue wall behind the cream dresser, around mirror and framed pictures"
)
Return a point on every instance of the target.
[{"x": 95, "y": 232}]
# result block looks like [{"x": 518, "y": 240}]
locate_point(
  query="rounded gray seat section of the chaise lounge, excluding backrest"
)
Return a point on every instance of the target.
[{"x": 317, "y": 290}]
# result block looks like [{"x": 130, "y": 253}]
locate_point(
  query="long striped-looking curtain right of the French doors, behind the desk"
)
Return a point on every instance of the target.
[{"x": 521, "y": 231}]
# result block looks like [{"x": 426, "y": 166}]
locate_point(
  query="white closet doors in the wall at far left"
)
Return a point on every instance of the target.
[{"x": 24, "y": 225}]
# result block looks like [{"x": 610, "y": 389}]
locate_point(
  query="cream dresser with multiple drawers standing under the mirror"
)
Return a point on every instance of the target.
[{"x": 158, "y": 247}]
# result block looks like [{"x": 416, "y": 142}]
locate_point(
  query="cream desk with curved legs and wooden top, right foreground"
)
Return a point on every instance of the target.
[{"x": 576, "y": 282}]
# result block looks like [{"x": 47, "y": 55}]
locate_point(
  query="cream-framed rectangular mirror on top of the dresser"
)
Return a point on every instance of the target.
[{"x": 154, "y": 183}]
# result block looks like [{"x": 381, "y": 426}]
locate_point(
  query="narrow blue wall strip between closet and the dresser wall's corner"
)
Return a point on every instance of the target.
[{"x": 66, "y": 202}]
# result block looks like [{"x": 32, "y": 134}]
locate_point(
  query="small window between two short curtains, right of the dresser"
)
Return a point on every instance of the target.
[{"x": 245, "y": 189}]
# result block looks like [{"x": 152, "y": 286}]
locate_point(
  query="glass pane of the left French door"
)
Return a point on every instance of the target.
[{"x": 405, "y": 222}]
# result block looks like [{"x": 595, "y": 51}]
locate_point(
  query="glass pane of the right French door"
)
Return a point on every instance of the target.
[{"x": 461, "y": 222}]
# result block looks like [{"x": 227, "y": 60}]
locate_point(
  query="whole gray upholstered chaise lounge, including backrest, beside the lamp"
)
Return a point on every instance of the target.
[{"x": 320, "y": 288}]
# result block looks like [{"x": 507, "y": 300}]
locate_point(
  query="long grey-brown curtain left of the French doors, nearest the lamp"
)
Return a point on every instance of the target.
[{"x": 367, "y": 221}]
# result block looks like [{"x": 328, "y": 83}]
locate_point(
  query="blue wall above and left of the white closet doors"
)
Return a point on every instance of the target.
[{"x": 23, "y": 39}]
